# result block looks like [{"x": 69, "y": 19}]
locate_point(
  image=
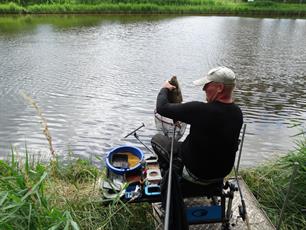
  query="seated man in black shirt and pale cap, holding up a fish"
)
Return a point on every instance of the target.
[{"x": 208, "y": 152}]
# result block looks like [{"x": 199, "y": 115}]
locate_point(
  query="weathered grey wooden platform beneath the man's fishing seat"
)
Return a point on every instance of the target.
[{"x": 257, "y": 218}]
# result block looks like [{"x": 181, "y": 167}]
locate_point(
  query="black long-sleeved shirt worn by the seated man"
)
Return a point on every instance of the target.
[{"x": 210, "y": 148}]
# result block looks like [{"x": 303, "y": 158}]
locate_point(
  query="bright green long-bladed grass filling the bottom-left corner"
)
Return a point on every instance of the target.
[{"x": 24, "y": 203}]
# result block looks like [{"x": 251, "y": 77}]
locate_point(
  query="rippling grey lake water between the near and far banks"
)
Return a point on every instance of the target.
[{"x": 96, "y": 78}]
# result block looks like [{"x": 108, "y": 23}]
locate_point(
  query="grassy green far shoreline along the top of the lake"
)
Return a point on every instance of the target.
[{"x": 273, "y": 10}]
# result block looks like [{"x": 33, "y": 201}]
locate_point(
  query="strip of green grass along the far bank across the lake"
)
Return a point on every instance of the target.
[{"x": 212, "y": 7}]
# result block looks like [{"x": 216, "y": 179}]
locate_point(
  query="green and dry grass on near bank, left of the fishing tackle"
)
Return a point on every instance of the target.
[{"x": 58, "y": 196}]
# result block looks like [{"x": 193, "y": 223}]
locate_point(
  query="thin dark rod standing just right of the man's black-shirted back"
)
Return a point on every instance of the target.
[{"x": 242, "y": 207}]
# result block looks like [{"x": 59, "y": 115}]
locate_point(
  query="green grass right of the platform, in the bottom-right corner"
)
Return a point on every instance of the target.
[{"x": 270, "y": 182}]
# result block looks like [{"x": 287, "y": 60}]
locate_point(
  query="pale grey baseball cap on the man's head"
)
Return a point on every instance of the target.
[{"x": 219, "y": 74}]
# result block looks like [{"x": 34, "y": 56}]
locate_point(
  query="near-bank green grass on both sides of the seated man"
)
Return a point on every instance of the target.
[{"x": 60, "y": 196}]
